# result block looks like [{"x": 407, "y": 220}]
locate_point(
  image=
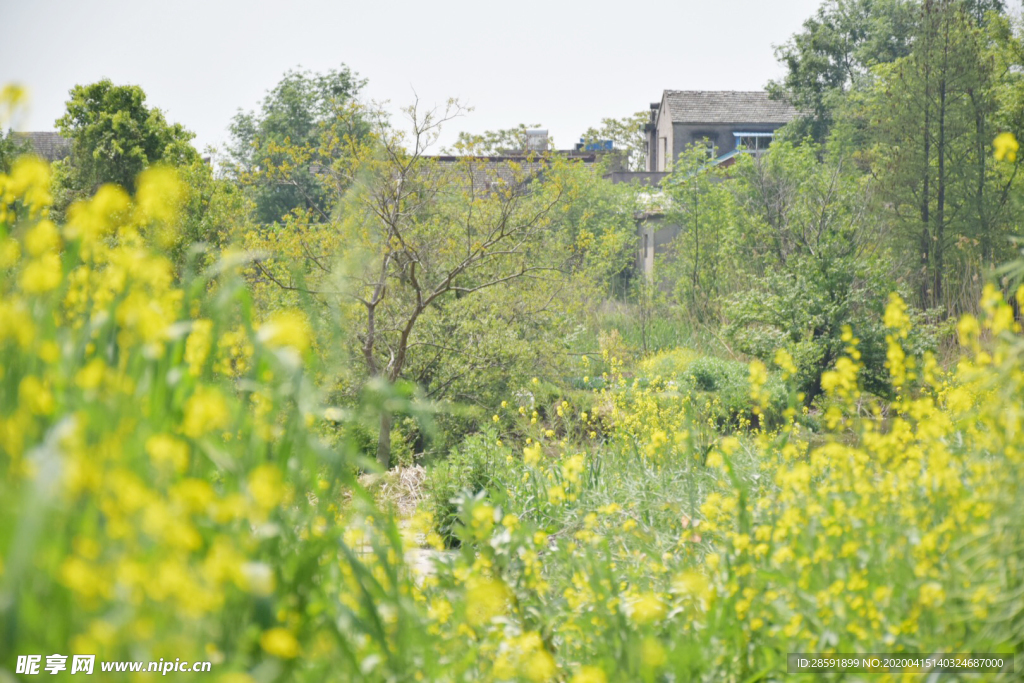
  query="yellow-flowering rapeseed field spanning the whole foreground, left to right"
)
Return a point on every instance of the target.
[{"x": 169, "y": 492}]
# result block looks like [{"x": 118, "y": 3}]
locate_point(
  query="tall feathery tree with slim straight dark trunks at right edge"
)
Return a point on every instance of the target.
[{"x": 936, "y": 113}]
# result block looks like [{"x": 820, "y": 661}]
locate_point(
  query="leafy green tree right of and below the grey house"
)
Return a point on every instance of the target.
[{"x": 808, "y": 266}]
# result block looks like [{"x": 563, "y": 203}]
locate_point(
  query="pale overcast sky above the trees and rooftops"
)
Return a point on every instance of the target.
[{"x": 563, "y": 65}]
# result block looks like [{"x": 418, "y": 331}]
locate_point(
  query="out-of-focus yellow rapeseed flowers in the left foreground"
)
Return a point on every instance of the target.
[{"x": 153, "y": 460}]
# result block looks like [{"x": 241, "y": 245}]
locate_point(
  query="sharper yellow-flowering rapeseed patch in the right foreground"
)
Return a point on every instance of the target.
[{"x": 861, "y": 540}]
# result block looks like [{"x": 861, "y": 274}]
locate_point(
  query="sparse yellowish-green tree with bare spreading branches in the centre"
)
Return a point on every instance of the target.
[{"x": 431, "y": 258}]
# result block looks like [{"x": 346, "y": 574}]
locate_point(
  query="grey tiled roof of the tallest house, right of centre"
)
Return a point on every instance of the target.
[{"x": 727, "y": 107}]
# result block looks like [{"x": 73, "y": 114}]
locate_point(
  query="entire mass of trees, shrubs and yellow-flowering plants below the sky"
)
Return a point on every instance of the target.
[{"x": 339, "y": 408}]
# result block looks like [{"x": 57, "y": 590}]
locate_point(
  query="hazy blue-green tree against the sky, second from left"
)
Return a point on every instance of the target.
[{"x": 277, "y": 151}]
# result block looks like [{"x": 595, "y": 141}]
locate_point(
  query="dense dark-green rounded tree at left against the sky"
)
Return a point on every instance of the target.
[{"x": 115, "y": 137}]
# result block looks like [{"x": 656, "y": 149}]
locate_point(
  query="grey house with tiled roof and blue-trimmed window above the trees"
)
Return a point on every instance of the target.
[{"x": 724, "y": 120}]
